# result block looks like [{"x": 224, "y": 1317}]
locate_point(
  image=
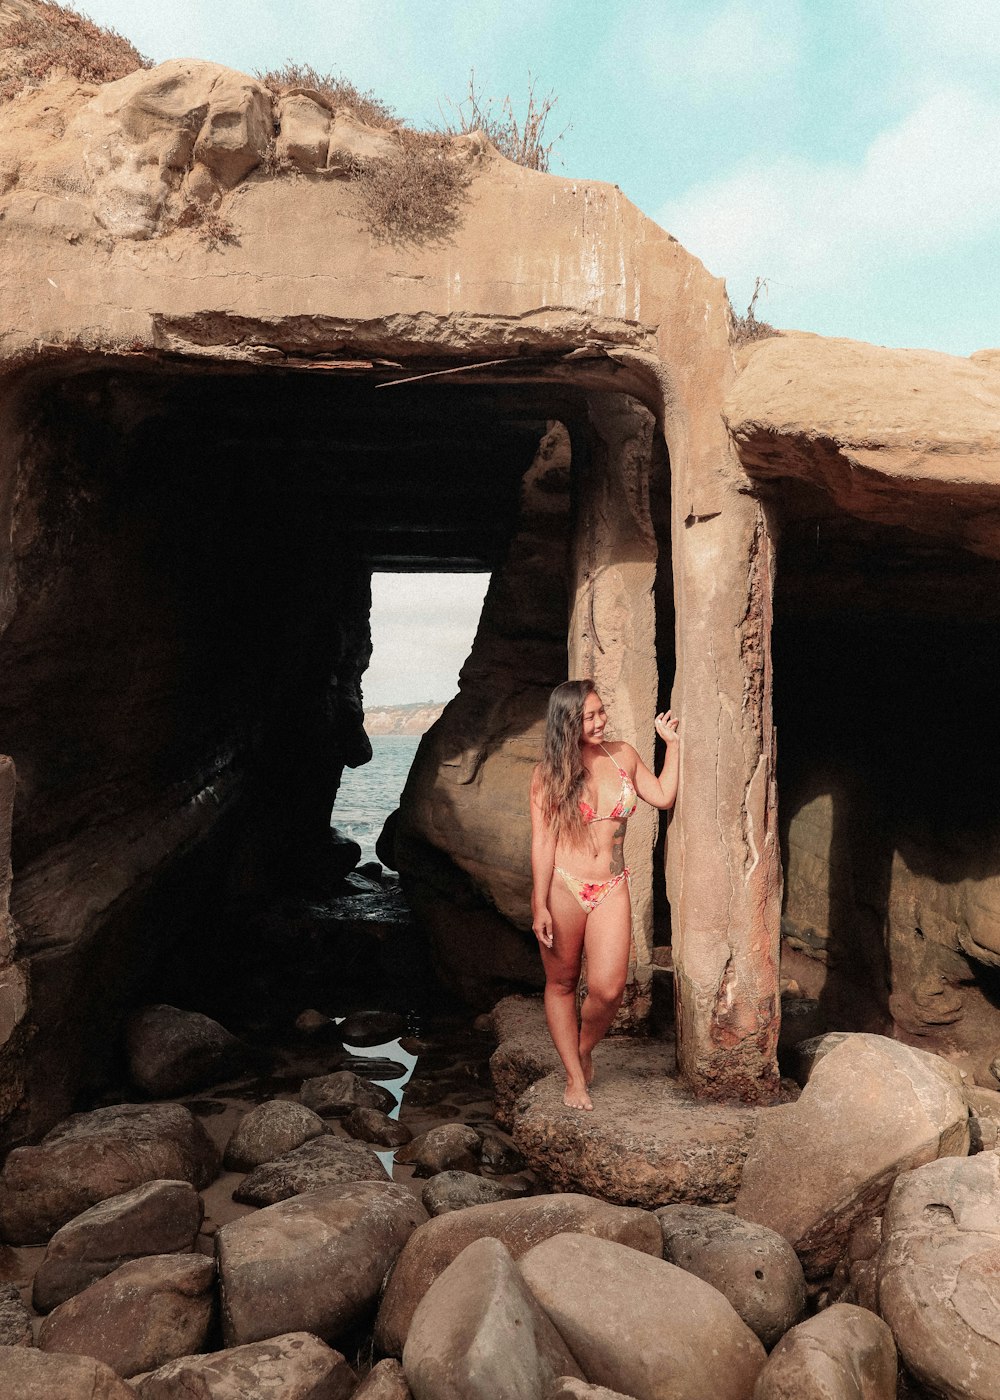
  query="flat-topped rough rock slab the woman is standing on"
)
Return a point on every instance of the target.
[{"x": 651, "y": 1142}]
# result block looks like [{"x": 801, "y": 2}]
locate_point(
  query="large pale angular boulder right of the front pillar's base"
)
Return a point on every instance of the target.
[{"x": 872, "y": 1109}]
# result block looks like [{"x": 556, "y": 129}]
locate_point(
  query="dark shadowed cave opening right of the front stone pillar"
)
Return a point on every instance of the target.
[{"x": 887, "y": 688}]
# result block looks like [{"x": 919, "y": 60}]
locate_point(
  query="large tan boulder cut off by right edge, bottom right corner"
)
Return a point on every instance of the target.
[{"x": 938, "y": 1275}]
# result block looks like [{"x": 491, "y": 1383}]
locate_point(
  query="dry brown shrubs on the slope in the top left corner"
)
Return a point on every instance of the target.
[{"x": 50, "y": 38}]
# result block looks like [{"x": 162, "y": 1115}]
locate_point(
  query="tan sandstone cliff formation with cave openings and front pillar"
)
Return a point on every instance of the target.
[{"x": 226, "y": 398}]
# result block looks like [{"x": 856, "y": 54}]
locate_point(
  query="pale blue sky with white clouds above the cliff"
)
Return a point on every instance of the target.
[{"x": 845, "y": 152}]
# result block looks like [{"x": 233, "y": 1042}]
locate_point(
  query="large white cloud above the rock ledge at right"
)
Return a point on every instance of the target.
[{"x": 925, "y": 187}]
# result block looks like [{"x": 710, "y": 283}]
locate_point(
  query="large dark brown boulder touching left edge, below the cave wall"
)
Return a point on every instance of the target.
[{"x": 95, "y": 1156}]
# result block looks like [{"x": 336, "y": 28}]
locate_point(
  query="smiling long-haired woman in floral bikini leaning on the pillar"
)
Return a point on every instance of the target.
[{"x": 583, "y": 794}]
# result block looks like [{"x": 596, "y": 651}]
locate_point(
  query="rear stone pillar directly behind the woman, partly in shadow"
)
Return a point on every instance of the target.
[{"x": 613, "y": 628}]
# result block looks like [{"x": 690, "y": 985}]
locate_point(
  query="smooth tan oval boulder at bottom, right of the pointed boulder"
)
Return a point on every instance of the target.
[{"x": 610, "y": 1305}]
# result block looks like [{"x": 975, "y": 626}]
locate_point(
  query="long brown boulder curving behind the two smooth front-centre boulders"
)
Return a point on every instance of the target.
[{"x": 519, "y": 1226}]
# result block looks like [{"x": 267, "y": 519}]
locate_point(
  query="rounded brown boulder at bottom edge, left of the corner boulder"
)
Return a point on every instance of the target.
[{"x": 844, "y": 1353}]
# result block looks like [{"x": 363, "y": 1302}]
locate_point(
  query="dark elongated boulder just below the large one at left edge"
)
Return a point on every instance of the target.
[{"x": 155, "y": 1219}]
